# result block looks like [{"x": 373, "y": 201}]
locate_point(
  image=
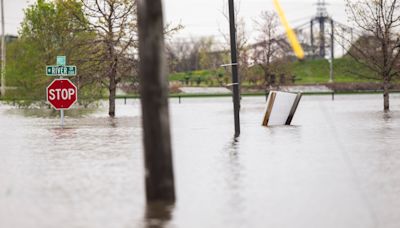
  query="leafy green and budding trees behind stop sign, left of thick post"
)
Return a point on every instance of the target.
[{"x": 99, "y": 37}]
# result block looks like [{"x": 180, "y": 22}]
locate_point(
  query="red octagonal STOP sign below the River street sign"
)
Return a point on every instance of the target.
[{"x": 62, "y": 94}]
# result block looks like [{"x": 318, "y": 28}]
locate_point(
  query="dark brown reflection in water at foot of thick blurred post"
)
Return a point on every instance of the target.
[{"x": 158, "y": 214}]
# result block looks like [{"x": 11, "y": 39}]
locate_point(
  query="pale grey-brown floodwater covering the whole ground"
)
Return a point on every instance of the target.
[{"x": 337, "y": 166}]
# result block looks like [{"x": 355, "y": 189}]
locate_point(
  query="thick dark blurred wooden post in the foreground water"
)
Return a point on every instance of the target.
[{"x": 154, "y": 98}]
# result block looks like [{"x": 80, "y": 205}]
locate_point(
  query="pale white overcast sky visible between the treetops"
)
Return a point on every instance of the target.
[{"x": 204, "y": 17}]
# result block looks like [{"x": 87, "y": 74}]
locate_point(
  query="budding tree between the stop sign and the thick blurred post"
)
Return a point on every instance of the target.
[{"x": 115, "y": 23}]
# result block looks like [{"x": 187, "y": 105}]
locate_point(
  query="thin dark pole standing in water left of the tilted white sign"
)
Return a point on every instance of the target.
[{"x": 234, "y": 63}]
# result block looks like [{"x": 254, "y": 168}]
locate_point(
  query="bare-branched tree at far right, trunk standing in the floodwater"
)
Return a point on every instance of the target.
[{"x": 379, "y": 21}]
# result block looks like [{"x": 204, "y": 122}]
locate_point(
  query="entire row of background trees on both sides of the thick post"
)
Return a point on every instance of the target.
[{"x": 100, "y": 38}]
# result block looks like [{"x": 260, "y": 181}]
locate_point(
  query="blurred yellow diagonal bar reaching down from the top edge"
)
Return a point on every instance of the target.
[{"x": 298, "y": 50}]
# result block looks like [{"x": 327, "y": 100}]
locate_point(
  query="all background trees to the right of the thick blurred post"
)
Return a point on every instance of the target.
[{"x": 377, "y": 47}]
